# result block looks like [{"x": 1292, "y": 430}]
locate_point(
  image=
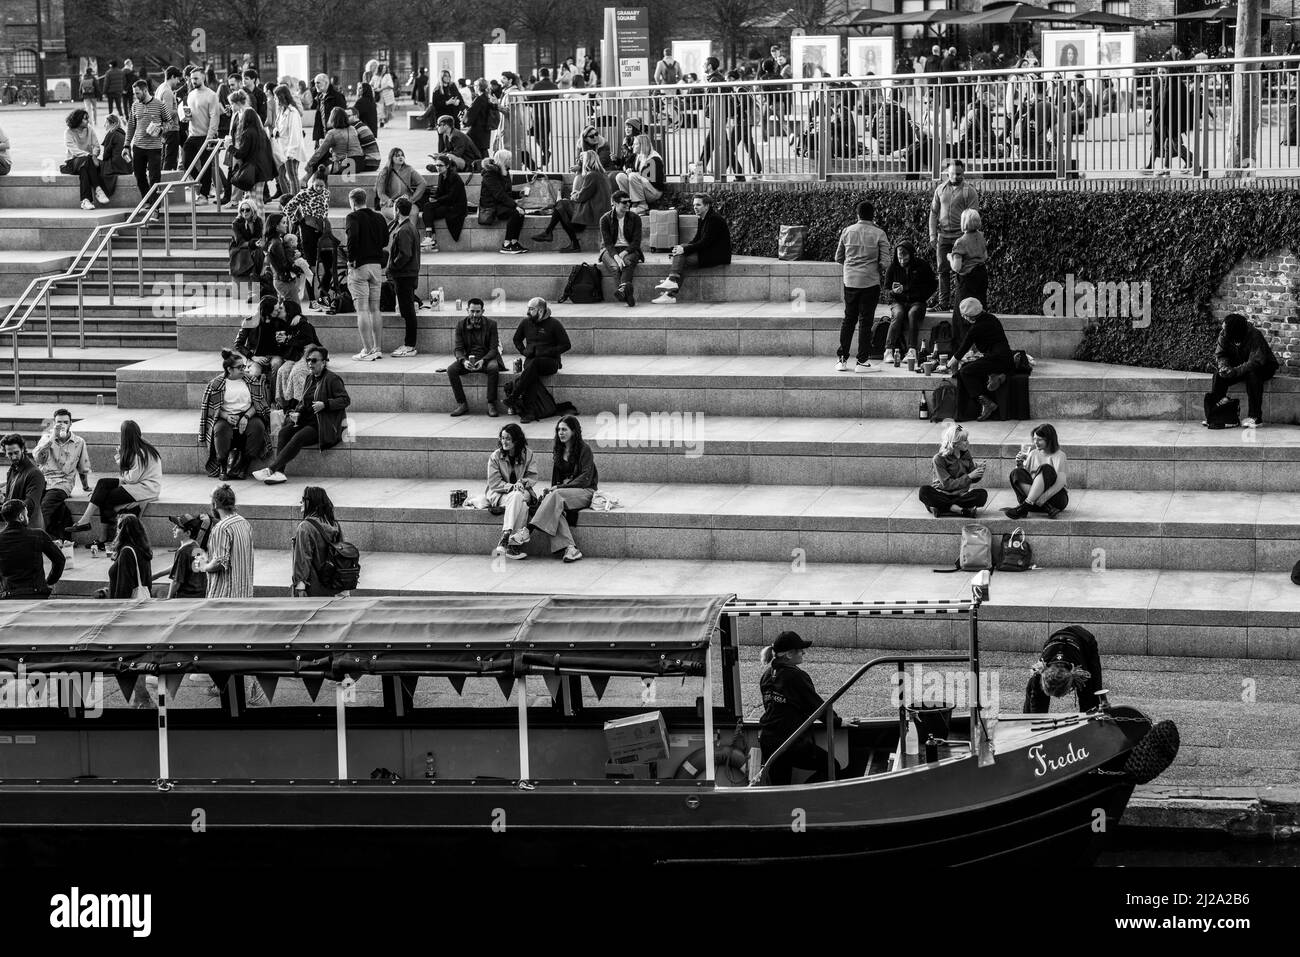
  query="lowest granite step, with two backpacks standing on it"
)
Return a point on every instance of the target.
[{"x": 1211, "y": 617}]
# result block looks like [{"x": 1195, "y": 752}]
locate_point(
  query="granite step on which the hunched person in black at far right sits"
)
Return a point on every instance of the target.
[{"x": 748, "y": 386}]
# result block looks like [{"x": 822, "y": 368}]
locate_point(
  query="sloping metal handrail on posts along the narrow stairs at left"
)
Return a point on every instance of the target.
[{"x": 101, "y": 243}]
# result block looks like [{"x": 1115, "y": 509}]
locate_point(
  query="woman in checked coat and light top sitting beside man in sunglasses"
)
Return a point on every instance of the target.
[{"x": 236, "y": 419}]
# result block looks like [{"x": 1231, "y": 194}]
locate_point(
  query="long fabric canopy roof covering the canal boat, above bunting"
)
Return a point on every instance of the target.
[{"x": 454, "y": 635}]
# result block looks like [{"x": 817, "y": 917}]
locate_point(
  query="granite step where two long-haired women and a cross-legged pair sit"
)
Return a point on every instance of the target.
[{"x": 1112, "y": 530}]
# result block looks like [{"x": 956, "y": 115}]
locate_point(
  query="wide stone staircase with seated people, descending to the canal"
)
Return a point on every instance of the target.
[{"x": 742, "y": 462}]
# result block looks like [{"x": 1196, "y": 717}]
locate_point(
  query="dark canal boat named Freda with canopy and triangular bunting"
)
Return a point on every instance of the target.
[{"x": 553, "y": 777}]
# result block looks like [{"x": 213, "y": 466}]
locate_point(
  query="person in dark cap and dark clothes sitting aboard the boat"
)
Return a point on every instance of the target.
[{"x": 788, "y": 700}]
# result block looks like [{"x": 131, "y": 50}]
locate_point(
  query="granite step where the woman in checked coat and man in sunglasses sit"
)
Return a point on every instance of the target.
[{"x": 733, "y": 451}]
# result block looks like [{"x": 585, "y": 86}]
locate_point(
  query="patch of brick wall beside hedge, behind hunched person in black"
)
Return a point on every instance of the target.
[{"x": 1268, "y": 293}]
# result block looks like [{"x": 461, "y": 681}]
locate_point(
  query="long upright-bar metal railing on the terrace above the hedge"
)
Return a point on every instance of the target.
[{"x": 1086, "y": 122}]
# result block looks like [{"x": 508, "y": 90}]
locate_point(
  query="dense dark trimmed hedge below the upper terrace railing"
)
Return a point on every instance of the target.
[{"x": 1185, "y": 243}]
